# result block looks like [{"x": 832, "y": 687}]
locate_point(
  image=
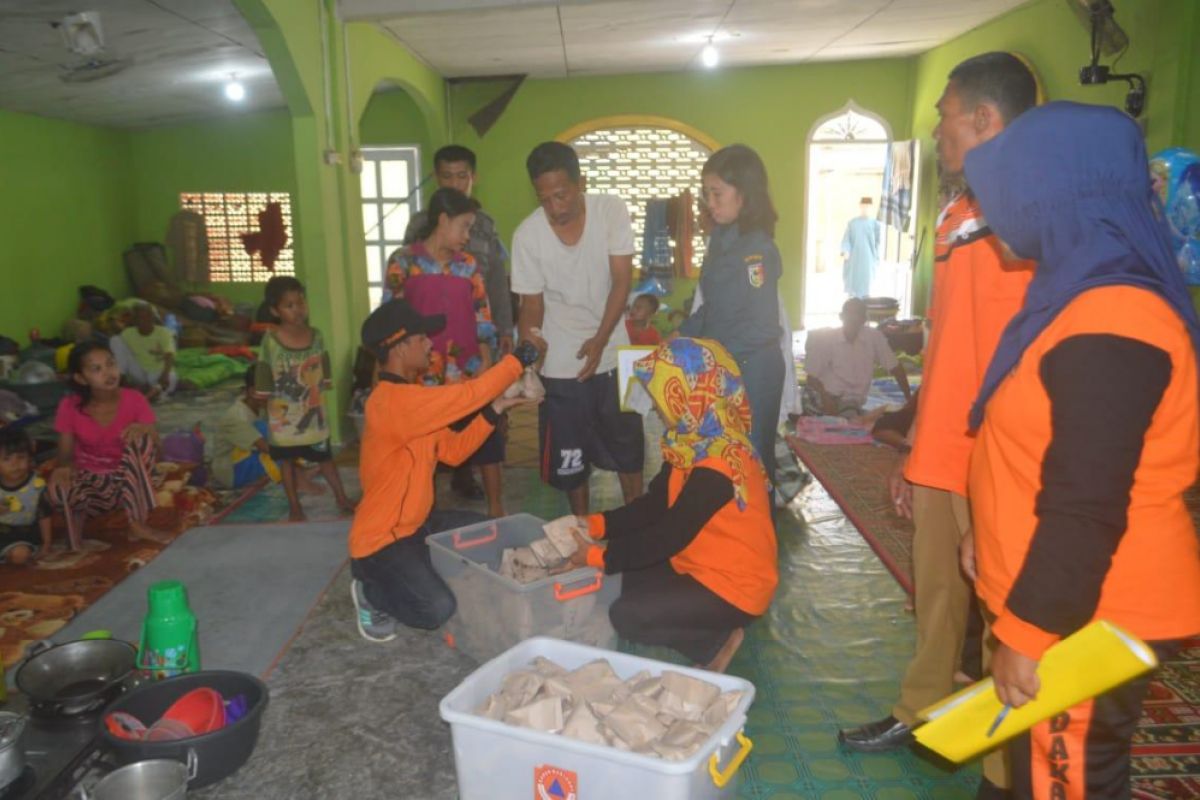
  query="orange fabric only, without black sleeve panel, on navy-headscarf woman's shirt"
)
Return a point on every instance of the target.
[{"x": 1153, "y": 588}]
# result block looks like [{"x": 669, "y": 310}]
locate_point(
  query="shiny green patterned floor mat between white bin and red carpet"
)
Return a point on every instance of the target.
[{"x": 830, "y": 655}]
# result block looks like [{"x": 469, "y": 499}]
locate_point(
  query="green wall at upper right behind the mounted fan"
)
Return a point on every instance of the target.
[{"x": 1163, "y": 34}]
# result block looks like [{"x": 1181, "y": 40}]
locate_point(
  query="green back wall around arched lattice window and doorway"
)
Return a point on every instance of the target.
[{"x": 769, "y": 109}]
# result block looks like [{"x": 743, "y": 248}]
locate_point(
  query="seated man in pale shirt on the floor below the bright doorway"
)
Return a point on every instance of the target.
[{"x": 841, "y": 363}]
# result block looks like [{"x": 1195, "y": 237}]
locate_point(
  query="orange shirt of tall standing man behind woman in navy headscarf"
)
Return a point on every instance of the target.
[{"x": 976, "y": 293}]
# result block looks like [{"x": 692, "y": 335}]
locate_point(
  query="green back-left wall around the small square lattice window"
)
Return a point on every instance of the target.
[{"x": 247, "y": 153}]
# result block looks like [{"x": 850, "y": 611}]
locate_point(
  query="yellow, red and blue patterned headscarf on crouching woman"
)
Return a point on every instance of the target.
[{"x": 699, "y": 390}]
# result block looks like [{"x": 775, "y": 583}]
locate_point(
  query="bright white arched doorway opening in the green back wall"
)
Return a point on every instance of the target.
[{"x": 848, "y": 153}]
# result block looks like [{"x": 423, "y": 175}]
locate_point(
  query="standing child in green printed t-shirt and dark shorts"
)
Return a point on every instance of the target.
[{"x": 292, "y": 372}]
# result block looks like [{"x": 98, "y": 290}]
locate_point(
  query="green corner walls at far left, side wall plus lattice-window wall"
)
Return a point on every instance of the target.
[{"x": 87, "y": 194}]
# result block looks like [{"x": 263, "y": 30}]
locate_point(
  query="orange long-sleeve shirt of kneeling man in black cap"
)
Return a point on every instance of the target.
[{"x": 407, "y": 434}]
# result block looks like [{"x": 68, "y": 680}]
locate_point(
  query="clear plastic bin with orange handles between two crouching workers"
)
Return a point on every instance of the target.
[{"x": 496, "y": 613}]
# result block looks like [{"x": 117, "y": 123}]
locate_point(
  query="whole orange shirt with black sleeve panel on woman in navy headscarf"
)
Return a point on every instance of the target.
[{"x": 1079, "y": 473}]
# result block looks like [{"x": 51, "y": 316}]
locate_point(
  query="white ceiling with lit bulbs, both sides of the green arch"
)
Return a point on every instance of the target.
[{"x": 183, "y": 52}]
